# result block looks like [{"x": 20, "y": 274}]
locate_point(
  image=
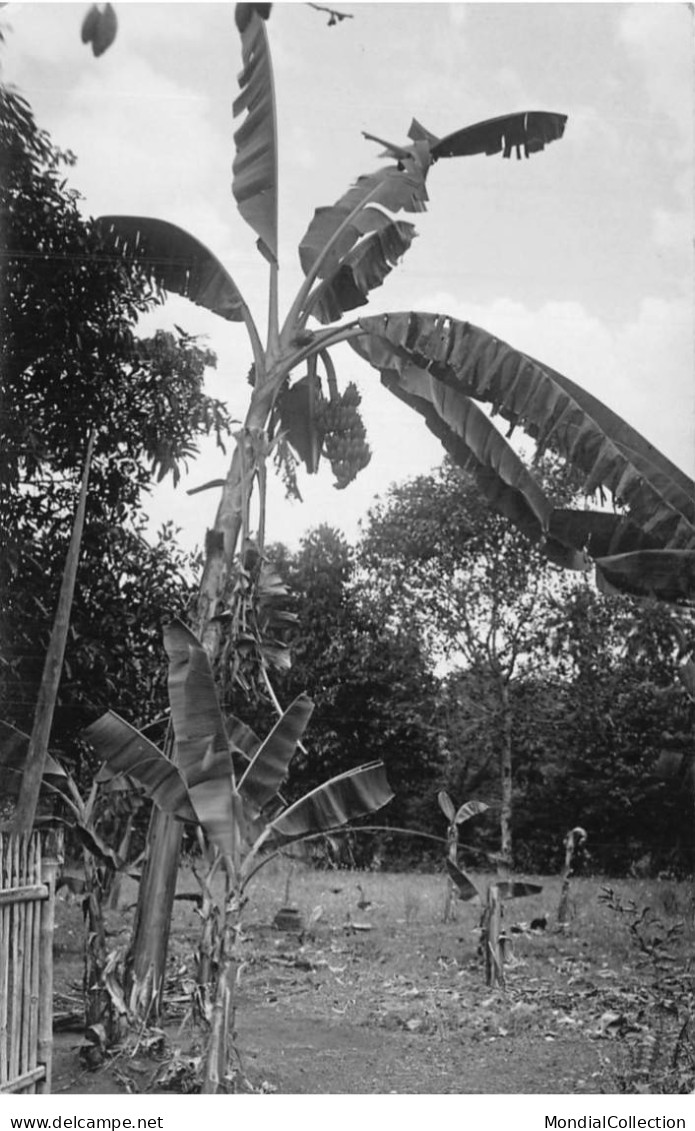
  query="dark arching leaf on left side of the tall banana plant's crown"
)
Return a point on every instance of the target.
[{"x": 177, "y": 261}]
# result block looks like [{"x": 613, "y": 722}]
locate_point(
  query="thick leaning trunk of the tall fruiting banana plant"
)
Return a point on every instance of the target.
[{"x": 146, "y": 961}]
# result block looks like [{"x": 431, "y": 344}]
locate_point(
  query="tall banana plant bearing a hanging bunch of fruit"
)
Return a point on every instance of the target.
[{"x": 447, "y": 370}]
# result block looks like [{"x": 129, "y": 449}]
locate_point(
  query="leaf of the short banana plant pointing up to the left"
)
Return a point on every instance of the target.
[{"x": 126, "y": 750}]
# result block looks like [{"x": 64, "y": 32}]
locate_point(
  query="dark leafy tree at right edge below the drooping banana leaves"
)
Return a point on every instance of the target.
[{"x": 623, "y": 707}]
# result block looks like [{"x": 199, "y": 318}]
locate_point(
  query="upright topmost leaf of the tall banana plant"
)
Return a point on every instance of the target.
[{"x": 256, "y": 166}]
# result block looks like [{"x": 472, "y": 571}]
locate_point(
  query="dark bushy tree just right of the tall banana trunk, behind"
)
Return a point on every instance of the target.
[{"x": 370, "y": 679}]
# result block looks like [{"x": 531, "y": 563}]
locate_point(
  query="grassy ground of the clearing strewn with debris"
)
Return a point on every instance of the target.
[{"x": 389, "y": 998}]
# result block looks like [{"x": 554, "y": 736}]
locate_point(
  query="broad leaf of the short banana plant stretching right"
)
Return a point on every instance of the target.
[{"x": 338, "y": 801}]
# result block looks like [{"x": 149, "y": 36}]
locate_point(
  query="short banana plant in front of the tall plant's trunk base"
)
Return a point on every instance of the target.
[{"x": 227, "y": 782}]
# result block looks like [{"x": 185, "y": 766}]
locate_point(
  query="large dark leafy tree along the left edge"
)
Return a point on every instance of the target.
[{"x": 72, "y": 362}]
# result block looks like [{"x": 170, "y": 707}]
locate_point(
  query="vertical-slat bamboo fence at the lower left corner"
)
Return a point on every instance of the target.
[{"x": 27, "y": 965}]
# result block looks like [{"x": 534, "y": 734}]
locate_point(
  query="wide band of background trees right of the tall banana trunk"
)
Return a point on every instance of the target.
[{"x": 397, "y": 643}]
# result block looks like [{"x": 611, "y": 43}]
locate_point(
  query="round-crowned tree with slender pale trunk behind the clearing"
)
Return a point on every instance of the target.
[{"x": 477, "y": 589}]
